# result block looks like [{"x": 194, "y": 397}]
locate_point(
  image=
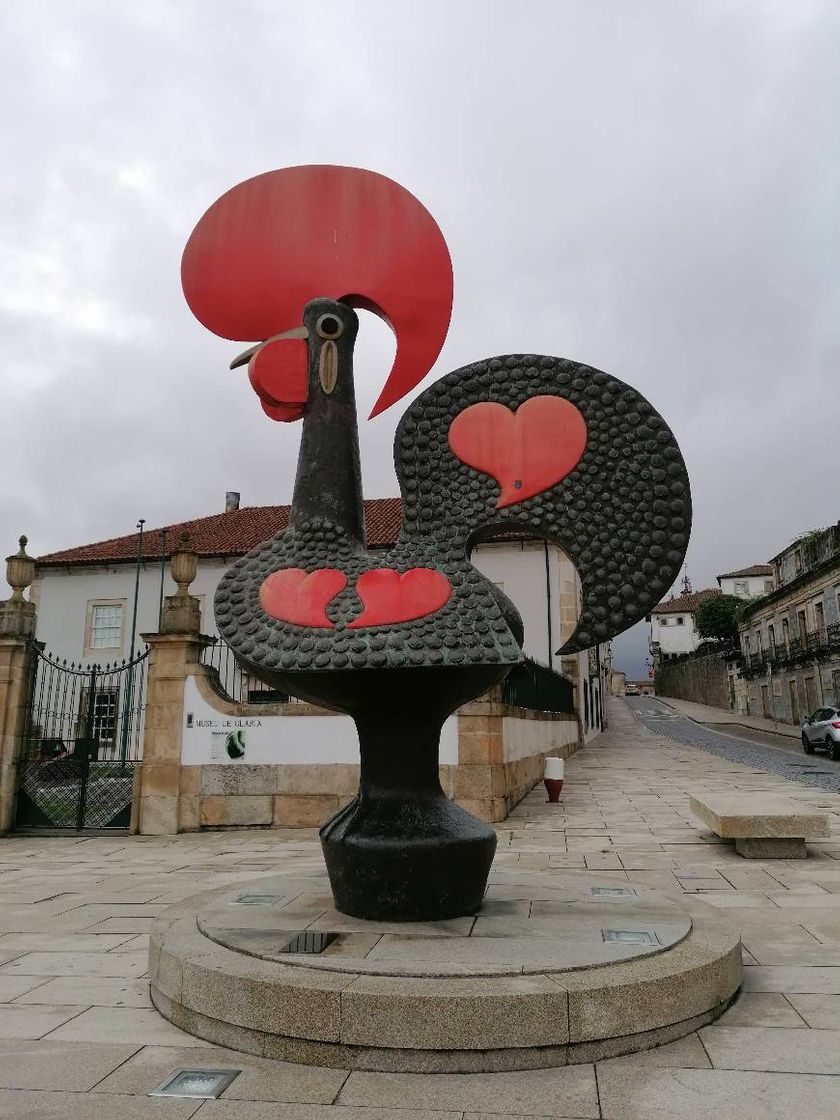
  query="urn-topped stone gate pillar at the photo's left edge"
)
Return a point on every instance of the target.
[{"x": 17, "y": 662}]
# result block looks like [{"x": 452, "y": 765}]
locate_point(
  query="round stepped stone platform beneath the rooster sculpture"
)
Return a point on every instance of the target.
[{"x": 555, "y": 968}]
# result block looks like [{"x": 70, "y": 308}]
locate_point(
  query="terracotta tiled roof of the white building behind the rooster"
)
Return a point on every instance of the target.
[{"x": 223, "y": 535}]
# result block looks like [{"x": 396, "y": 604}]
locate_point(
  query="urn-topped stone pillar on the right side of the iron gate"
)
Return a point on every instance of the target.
[{"x": 163, "y": 806}]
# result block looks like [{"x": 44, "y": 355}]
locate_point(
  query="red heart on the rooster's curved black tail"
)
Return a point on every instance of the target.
[{"x": 527, "y": 452}]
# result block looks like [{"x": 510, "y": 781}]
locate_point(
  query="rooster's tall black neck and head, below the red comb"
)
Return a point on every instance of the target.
[{"x": 329, "y": 482}]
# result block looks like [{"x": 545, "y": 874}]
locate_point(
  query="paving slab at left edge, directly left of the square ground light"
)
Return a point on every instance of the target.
[{"x": 64, "y": 1066}]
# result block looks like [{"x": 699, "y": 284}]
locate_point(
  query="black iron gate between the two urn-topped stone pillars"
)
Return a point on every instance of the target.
[{"x": 82, "y": 744}]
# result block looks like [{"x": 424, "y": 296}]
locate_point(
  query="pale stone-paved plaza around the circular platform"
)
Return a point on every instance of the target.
[{"x": 80, "y": 1040}]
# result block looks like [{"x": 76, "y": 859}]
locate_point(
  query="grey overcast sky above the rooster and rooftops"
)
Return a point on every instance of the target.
[{"x": 649, "y": 186}]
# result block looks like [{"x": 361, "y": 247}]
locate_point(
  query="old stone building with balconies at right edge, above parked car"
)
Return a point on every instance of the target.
[{"x": 790, "y": 639}]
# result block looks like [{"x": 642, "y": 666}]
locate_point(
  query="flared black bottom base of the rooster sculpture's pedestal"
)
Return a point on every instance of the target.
[{"x": 393, "y": 860}]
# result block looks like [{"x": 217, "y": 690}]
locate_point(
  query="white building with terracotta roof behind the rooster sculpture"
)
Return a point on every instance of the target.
[{"x": 88, "y": 596}]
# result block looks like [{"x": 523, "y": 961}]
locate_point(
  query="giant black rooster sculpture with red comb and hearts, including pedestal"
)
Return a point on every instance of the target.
[{"x": 522, "y": 442}]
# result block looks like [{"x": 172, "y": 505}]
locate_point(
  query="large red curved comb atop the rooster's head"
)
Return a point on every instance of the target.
[{"x": 273, "y": 244}]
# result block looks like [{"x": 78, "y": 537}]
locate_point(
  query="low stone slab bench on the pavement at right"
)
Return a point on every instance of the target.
[{"x": 763, "y": 826}]
